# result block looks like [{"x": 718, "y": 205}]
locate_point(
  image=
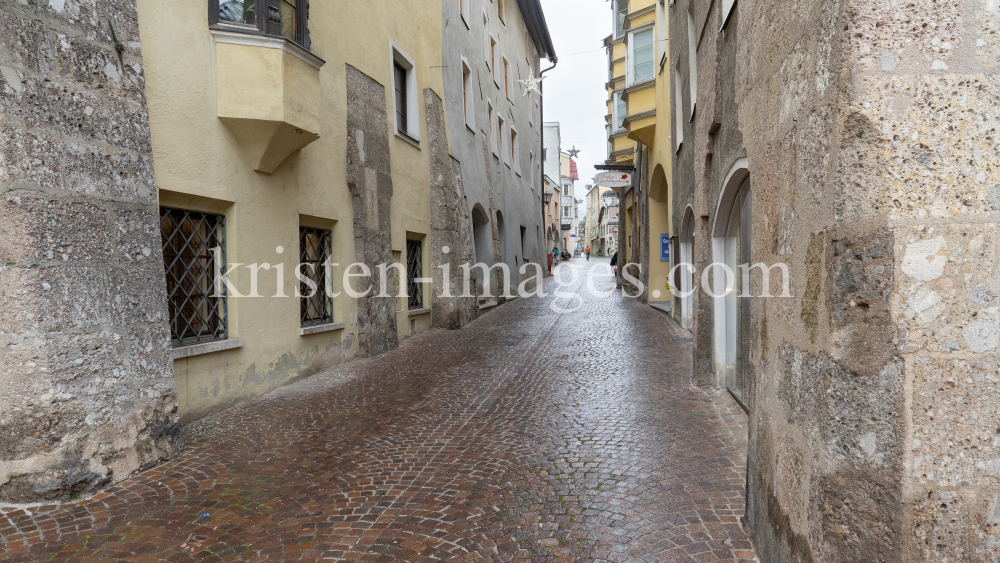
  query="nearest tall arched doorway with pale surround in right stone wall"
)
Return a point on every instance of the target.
[{"x": 731, "y": 246}]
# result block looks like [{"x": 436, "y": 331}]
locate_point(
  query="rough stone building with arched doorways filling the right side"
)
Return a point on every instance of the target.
[{"x": 855, "y": 142}]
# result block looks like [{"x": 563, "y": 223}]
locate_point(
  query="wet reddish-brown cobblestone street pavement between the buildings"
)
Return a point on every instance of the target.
[{"x": 529, "y": 436}]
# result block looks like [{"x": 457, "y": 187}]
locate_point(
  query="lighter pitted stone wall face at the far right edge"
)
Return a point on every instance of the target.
[{"x": 924, "y": 92}]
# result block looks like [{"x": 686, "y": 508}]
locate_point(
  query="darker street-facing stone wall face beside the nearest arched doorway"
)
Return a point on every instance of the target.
[{"x": 827, "y": 448}]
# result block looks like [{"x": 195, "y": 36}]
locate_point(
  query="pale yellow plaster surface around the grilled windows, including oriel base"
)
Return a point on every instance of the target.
[{"x": 254, "y": 128}]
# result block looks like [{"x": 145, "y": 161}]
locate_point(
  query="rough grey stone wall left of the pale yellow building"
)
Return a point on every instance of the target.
[{"x": 87, "y": 392}]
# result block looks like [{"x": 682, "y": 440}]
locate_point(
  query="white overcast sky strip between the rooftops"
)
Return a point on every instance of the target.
[{"x": 574, "y": 90}]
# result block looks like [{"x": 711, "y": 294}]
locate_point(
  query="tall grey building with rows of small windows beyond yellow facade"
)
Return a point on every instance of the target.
[{"x": 495, "y": 126}]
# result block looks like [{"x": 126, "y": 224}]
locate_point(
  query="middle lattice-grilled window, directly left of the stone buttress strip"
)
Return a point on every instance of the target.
[{"x": 314, "y": 253}]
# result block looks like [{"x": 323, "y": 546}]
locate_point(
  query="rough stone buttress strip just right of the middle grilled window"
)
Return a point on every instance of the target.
[{"x": 370, "y": 182}]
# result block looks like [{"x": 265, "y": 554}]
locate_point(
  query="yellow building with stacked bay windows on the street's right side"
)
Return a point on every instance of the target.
[{"x": 639, "y": 131}]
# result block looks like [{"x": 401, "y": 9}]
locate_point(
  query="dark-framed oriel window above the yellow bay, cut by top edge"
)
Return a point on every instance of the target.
[{"x": 280, "y": 18}]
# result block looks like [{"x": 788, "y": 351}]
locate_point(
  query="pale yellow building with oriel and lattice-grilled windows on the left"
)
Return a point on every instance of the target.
[{"x": 250, "y": 128}]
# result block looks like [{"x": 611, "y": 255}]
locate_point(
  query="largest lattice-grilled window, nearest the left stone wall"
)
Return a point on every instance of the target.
[{"x": 197, "y": 307}]
